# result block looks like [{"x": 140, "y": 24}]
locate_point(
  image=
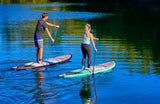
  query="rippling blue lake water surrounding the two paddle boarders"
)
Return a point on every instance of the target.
[{"x": 128, "y": 35}]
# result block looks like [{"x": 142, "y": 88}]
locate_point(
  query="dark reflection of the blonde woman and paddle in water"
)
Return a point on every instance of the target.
[{"x": 86, "y": 91}]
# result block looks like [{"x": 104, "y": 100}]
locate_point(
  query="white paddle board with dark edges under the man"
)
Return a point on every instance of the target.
[{"x": 46, "y": 62}]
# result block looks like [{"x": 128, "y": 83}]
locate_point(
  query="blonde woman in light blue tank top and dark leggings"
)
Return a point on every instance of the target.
[{"x": 85, "y": 45}]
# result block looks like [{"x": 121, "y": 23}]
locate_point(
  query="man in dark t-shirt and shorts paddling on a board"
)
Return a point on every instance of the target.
[{"x": 42, "y": 25}]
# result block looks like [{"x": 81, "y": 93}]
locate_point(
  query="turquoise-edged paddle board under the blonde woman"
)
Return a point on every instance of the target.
[{"x": 97, "y": 69}]
